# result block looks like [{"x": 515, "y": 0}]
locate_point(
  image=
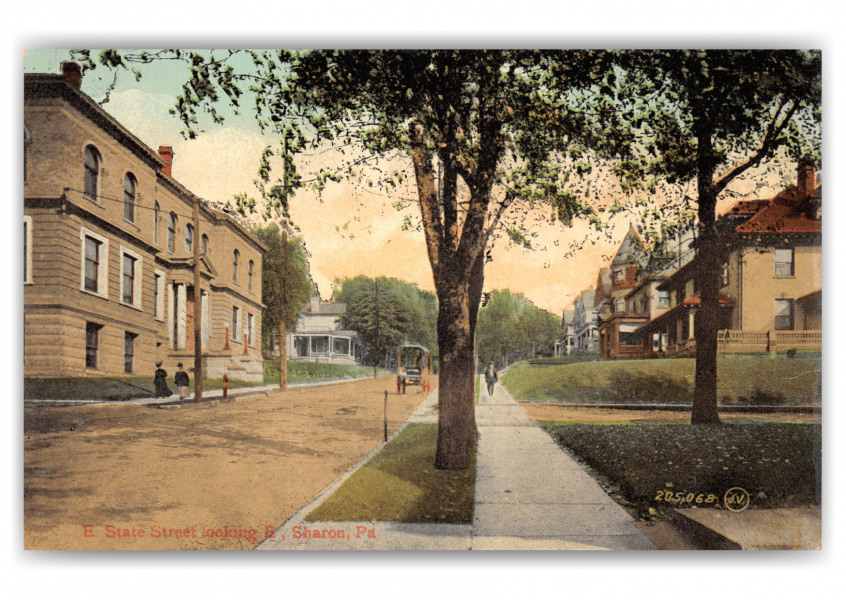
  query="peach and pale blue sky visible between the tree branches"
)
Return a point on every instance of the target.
[{"x": 350, "y": 229}]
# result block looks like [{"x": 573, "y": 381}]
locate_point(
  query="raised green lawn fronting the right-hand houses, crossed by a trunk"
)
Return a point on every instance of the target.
[{"x": 741, "y": 379}]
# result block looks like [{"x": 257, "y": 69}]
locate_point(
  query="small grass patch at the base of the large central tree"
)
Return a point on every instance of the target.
[{"x": 400, "y": 483}]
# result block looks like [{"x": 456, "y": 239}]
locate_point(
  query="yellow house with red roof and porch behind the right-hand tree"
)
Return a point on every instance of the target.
[{"x": 771, "y": 278}]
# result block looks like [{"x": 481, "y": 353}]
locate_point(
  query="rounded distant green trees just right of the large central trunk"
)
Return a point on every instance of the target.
[{"x": 510, "y": 322}]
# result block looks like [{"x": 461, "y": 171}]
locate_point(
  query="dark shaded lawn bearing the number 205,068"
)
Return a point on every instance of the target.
[{"x": 778, "y": 464}]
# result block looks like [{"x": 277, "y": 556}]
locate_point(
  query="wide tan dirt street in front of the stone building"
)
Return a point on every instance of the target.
[{"x": 203, "y": 477}]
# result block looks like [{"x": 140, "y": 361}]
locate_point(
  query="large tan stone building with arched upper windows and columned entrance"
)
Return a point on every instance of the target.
[{"x": 108, "y": 257}]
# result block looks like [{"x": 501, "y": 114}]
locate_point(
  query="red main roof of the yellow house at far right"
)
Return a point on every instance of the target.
[{"x": 786, "y": 213}]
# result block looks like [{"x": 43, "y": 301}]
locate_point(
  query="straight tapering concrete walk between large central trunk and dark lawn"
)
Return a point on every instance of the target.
[{"x": 531, "y": 495}]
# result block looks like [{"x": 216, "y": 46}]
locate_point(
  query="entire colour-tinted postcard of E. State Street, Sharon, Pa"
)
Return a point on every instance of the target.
[{"x": 422, "y": 299}]
